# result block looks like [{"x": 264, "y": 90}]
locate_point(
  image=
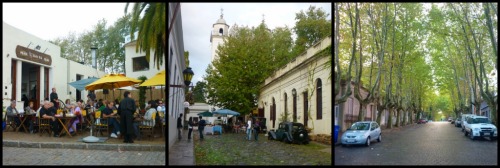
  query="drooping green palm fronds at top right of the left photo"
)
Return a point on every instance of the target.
[{"x": 151, "y": 27}]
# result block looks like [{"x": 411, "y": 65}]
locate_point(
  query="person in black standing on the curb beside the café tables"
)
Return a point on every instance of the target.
[{"x": 126, "y": 110}]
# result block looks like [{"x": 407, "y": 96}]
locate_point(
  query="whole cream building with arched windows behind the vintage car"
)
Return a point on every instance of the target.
[{"x": 288, "y": 87}]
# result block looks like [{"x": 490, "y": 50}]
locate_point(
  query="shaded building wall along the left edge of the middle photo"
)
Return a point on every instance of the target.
[{"x": 176, "y": 64}]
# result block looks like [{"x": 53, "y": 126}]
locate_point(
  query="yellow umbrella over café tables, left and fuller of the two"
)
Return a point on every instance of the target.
[{"x": 112, "y": 81}]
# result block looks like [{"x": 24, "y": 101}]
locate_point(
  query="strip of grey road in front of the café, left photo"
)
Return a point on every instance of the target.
[{"x": 49, "y": 156}]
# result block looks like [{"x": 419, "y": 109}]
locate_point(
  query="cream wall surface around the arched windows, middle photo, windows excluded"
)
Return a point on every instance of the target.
[{"x": 295, "y": 76}]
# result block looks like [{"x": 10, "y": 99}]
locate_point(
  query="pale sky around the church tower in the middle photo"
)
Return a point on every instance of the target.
[{"x": 198, "y": 18}]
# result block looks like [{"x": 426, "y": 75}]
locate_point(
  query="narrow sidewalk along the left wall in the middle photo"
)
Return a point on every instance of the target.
[{"x": 182, "y": 152}]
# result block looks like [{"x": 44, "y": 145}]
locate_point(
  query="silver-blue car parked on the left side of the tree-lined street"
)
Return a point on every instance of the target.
[{"x": 362, "y": 132}]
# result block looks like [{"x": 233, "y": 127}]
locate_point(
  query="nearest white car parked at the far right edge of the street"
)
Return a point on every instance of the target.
[{"x": 480, "y": 126}]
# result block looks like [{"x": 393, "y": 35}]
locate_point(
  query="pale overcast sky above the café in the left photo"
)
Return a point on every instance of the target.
[{"x": 49, "y": 21}]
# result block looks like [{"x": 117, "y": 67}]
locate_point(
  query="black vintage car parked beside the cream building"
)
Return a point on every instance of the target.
[{"x": 290, "y": 132}]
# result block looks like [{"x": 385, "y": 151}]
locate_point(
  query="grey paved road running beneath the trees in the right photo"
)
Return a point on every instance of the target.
[{"x": 435, "y": 143}]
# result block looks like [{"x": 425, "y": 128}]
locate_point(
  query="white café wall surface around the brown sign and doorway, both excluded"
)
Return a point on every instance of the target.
[{"x": 61, "y": 71}]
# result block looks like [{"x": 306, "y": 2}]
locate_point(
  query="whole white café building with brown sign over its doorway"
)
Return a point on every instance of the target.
[{"x": 33, "y": 66}]
